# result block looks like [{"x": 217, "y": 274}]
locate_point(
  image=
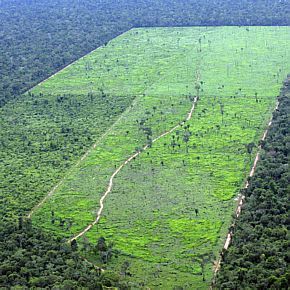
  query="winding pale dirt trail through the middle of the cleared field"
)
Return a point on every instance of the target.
[{"x": 110, "y": 186}]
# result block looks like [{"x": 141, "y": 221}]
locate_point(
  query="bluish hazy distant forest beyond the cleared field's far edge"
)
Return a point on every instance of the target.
[{"x": 39, "y": 37}]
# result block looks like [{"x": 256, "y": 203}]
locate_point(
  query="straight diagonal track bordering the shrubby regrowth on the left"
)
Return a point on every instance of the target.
[{"x": 52, "y": 191}]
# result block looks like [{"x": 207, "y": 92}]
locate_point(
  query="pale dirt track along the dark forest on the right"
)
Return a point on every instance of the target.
[{"x": 242, "y": 199}]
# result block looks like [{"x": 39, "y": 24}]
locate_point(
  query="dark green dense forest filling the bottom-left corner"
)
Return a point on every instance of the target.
[{"x": 30, "y": 258}]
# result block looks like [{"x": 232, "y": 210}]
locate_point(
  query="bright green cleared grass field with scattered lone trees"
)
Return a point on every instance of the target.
[{"x": 150, "y": 214}]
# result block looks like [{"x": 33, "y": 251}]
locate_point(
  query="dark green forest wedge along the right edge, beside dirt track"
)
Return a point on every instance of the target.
[{"x": 258, "y": 257}]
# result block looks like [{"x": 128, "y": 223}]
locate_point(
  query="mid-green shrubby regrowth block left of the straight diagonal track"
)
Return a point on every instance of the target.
[{"x": 42, "y": 137}]
